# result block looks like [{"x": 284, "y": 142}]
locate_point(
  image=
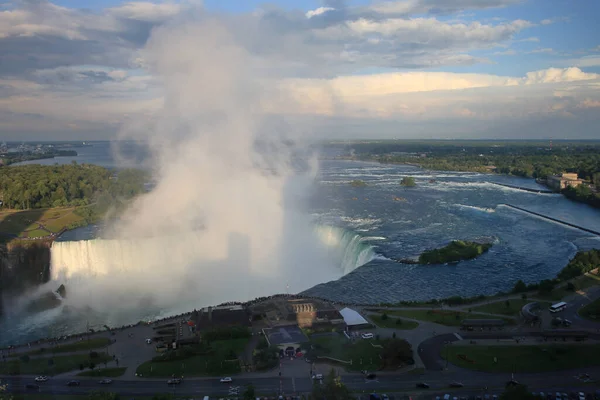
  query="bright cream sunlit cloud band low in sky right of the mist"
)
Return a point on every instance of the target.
[{"x": 432, "y": 94}]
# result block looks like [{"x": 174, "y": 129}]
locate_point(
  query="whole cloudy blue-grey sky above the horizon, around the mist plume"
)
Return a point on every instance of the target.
[{"x": 75, "y": 69}]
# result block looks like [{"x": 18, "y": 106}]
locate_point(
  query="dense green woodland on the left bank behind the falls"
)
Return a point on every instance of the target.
[{"x": 40, "y": 186}]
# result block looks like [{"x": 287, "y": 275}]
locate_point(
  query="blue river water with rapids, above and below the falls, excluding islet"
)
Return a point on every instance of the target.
[{"x": 396, "y": 222}]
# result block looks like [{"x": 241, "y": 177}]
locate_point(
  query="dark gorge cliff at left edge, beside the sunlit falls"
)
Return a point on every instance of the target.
[{"x": 23, "y": 265}]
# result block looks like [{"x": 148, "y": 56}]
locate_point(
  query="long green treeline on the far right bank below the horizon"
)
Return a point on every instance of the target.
[{"x": 525, "y": 159}]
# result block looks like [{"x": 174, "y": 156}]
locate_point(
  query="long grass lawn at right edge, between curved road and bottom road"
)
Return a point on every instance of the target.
[{"x": 523, "y": 358}]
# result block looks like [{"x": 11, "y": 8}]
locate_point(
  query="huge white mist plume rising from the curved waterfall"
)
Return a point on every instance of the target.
[{"x": 225, "y": 220}]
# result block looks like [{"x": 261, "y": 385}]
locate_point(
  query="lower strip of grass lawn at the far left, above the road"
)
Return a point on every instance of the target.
[{"x": 41, "y": 365}]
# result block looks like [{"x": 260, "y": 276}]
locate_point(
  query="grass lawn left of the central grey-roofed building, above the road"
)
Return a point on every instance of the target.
[{"x": 213, "y": 364}]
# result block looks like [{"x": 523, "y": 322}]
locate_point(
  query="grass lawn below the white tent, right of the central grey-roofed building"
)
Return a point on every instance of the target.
[{"x": 361, "y": 352}]
